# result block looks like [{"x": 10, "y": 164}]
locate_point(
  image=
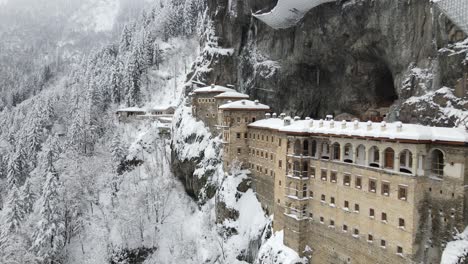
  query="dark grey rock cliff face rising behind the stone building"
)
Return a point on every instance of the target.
[{"x": 349, "y": 56}]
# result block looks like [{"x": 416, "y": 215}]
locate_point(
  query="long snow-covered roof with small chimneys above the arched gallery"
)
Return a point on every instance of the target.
[{"x": 383, "y": 130}]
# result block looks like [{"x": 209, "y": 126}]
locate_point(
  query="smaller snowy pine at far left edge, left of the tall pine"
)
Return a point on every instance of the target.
[{"x": 14, "y": 214}]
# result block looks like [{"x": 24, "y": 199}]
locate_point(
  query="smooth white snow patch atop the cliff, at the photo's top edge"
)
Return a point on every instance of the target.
[{"x": 287, "y": 13}]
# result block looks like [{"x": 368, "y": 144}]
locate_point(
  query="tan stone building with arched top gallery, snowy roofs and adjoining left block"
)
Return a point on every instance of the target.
[{"x": 352, "y": 192}]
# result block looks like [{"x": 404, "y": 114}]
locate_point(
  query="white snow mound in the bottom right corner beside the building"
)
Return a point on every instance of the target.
[{"x": 456, "y": 250}]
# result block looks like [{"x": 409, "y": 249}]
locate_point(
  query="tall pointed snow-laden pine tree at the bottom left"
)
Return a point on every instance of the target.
[{"x": 49, "y": 237}]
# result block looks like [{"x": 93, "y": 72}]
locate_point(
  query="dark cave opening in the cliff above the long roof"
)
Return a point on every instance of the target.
[{"x": 384, "y": 90}]
